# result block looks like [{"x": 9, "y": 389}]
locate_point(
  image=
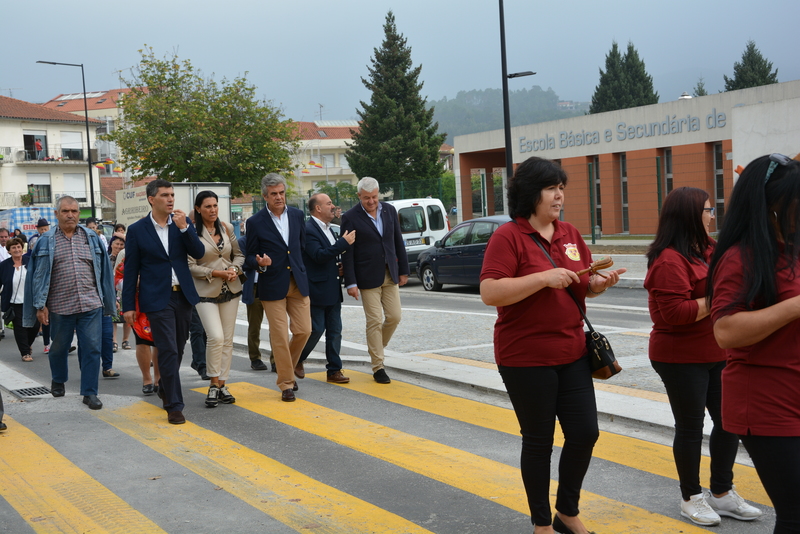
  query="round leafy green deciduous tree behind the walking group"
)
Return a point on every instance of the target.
[{"x": 180, "y": 126}]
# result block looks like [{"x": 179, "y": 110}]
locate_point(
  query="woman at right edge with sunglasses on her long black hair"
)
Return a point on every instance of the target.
[{"x": 754, "y": 286}]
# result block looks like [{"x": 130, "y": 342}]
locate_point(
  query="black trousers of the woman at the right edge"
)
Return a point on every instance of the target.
[{"x": 777, "y": 462}]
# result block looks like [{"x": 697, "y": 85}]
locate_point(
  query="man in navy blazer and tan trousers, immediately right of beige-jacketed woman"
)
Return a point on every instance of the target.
[{"x": 276, "y": 237}]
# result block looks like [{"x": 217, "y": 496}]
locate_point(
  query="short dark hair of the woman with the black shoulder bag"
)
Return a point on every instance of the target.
[{"x": 525, "y": 187}]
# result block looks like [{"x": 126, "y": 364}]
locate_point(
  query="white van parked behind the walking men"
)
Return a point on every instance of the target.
[{"x": 423, "y": 221}]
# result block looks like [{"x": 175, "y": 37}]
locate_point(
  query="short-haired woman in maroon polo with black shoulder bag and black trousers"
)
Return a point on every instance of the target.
[{"x": 539, "y": 344}]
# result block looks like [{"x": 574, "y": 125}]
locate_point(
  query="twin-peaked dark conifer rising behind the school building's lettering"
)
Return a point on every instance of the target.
[{"x": 624, "y": 84}]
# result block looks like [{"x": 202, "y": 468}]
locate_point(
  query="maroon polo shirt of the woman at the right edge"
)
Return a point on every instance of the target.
[{"x": 761, "y": 383}]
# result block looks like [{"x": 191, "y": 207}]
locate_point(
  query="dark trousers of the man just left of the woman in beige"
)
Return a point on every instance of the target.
[{"x": 170, "y": 328}]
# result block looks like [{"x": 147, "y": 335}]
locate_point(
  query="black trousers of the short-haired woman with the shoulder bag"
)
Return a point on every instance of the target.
[{"x": 539, "y": 395}]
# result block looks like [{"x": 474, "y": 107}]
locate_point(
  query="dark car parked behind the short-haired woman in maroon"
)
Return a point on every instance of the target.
[{"x": 458, "y": 257}]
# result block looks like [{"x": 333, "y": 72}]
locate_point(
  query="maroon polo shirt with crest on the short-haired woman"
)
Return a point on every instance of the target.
[{"x": 545, "y": 328}]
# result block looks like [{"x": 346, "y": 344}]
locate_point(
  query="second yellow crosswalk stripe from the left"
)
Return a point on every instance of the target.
[{"x": 287, "y": 495}]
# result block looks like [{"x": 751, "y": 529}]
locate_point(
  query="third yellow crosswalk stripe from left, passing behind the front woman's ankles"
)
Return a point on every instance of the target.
[{"x": 474, "y": 474}]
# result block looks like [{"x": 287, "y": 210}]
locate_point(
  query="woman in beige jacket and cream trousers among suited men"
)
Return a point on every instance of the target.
[{"x": 216, "y": 277}]
